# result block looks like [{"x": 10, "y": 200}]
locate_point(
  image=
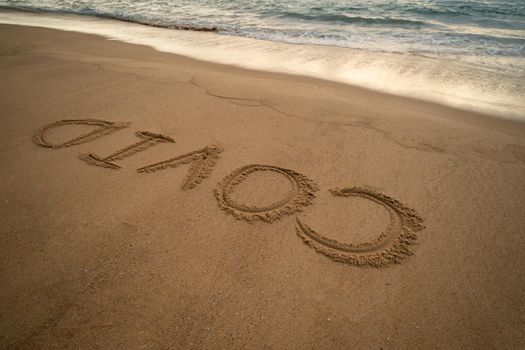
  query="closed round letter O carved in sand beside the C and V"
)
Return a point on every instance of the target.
[{"x": 301, "y": 195}]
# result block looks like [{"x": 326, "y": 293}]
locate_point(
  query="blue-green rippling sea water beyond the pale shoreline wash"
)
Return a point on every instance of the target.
[{"x": 433, "y": 28}]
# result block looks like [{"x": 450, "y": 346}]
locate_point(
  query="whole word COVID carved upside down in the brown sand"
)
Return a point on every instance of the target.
[{"x": 390, "y": 247}]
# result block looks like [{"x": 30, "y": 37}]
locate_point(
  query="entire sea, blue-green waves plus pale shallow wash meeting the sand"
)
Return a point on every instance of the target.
[{"x": 469, "y": 54}]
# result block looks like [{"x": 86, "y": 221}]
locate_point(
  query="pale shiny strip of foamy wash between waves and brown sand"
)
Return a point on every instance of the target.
[{"x": 467, "y": 86}]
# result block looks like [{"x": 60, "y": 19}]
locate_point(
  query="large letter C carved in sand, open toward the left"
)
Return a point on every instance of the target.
[{"x": 390, "y": 247}]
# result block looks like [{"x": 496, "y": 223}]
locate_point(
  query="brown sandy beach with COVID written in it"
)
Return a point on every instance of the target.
[{"x": 152, "y": 201}]
